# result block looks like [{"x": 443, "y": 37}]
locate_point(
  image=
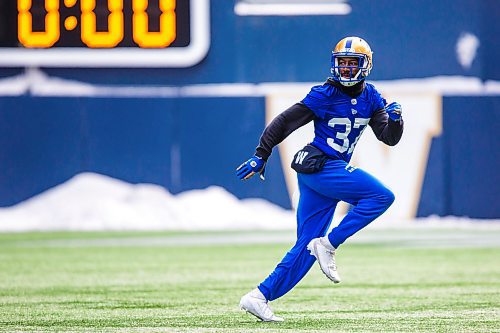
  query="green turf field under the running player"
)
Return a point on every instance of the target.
[{"x": 48, "y": 285}]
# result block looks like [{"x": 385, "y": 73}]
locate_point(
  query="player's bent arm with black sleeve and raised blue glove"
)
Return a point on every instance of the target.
[{"x": 387, "y": 124}]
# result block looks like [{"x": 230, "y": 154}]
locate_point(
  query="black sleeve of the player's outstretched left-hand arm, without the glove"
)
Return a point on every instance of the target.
[{"x": 282, "y": 126}]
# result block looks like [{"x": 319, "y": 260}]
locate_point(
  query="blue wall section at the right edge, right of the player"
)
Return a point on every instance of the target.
[{"x": 462, "y": 171}]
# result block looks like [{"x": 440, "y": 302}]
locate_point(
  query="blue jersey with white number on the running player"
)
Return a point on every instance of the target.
[{"x": 341, "y": 119}]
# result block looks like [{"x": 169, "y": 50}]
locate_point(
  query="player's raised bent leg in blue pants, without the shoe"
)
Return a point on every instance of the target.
[{"x": 357, "y": 187}]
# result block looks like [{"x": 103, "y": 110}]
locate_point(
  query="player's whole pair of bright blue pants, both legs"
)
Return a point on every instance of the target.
[{"x": 319, "y": 194}]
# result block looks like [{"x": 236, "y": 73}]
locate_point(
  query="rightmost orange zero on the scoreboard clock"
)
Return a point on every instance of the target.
[{"x": 167, "y": 34}]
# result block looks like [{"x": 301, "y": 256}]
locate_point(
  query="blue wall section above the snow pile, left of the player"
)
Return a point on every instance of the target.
[{"x": 179, "y": 143}]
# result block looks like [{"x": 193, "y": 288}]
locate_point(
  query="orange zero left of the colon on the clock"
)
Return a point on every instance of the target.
[{"x": 25, "y": 32}]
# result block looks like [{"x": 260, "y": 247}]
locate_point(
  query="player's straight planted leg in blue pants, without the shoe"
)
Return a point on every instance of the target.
[{"x": 314, "y": 215}]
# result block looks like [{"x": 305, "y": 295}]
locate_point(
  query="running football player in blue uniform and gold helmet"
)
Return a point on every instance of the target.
[{"x": 341, "y": 109}]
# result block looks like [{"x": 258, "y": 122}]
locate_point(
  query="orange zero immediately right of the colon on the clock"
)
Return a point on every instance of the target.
[{"x": 90, "y": 36}]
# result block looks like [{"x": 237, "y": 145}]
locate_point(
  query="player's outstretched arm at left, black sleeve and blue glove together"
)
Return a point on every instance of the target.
[{"x": 282, "y": 126}]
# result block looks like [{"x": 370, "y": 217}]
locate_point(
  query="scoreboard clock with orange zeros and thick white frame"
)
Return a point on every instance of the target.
[{"x": 103, "y": 33}]
